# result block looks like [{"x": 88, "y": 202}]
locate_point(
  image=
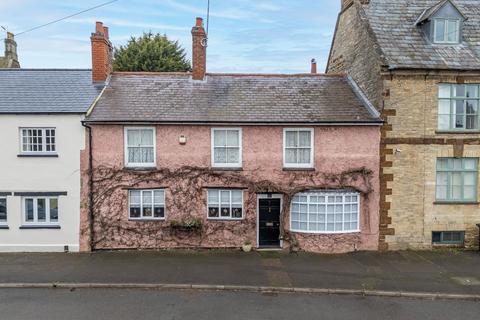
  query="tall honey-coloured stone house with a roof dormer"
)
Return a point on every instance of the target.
[{"x": 418, "y": 62}]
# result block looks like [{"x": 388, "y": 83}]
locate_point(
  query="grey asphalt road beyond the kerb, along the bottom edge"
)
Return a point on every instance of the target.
[{"x": 86, "y": 304}]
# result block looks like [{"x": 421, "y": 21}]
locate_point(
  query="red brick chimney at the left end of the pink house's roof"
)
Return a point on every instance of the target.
[{"x": 102, "y": 51}]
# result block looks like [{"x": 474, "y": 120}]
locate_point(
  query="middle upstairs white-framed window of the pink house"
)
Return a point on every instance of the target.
[{"x": 226, "y": 147}]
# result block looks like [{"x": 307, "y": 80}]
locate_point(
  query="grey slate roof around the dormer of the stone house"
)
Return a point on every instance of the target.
[{"x": 404, "y": 45}]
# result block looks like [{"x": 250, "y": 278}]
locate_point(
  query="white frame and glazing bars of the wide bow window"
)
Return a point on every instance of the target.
[{"x": 327, "y": 194}]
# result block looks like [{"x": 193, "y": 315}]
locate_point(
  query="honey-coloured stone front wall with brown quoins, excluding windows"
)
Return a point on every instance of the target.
[{"x": 414, "y": 144}]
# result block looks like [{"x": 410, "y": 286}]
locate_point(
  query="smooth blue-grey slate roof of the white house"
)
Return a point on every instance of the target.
[{"x": 46, "y": 91}]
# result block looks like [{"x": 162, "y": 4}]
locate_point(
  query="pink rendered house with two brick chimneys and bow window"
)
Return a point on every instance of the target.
[{"x": 203, "y": 160}]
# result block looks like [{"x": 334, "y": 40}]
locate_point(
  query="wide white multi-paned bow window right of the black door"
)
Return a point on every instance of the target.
[{"x": 325, "y": 212}]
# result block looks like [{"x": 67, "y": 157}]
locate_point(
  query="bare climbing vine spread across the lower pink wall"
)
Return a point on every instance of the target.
[{"x": 186, "y": 202}]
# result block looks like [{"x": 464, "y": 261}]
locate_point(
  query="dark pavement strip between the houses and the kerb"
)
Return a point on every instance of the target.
[{"x": 427, "y": 272}]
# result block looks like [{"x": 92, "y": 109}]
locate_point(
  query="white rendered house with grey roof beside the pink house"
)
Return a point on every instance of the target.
[{"x": 41, "y": 141}]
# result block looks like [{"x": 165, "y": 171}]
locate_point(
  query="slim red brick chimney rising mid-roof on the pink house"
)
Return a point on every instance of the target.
[{"x": 199, "y": 51}]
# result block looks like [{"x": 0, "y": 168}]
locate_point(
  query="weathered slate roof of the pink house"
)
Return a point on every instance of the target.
[{"x": 222, "y": 98}]
